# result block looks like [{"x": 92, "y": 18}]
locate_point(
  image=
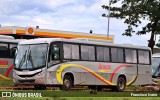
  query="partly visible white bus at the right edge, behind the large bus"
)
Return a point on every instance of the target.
[{"x": 156, "y": 68}]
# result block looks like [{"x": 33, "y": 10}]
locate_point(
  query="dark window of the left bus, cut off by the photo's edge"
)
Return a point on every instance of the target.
[{"x": 4, "y": 50}]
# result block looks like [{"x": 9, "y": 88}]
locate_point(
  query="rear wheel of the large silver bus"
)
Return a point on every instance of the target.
[{"x": 121, "y": 83}]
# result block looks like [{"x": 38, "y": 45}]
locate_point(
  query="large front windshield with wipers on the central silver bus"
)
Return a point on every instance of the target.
[{"x": 30, "y": 57}]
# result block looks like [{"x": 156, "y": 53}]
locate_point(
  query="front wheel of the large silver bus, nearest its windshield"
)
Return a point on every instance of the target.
[{"x": 67, "y": 83}]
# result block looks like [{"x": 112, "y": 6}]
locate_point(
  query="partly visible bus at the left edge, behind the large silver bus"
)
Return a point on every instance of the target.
[{"x": 7, "y": 53}]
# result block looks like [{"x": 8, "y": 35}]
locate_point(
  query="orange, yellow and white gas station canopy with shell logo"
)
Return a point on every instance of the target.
[{"x": 31, "y": 32}]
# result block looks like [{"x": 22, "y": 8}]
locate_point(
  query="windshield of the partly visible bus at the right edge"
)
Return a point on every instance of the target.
[{"x": 155, "y": 66}]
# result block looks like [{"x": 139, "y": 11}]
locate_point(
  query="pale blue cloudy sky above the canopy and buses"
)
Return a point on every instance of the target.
[{"x": 66, "y": 15}]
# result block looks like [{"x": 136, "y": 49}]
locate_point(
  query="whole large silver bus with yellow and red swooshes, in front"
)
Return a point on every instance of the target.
[{"x": 79, "y": 62}]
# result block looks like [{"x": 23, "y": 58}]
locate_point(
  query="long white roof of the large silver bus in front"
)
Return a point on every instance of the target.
[{"x": 50, "y": 40}]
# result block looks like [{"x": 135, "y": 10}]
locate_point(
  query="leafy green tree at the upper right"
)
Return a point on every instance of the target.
[{"x": 133, "y": 12}]
